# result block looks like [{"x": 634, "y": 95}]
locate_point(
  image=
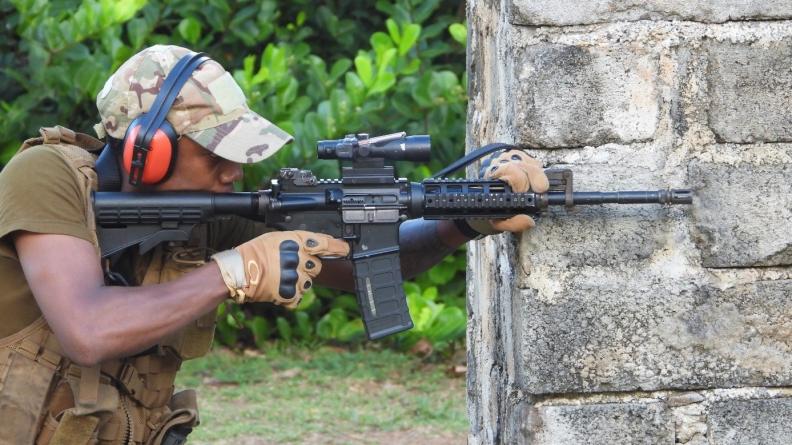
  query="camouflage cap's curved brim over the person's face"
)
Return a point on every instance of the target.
[{"x": 247, "y": 139}]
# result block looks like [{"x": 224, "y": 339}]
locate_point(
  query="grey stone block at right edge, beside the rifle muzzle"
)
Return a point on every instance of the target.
[{"x": 742, "y": 213}]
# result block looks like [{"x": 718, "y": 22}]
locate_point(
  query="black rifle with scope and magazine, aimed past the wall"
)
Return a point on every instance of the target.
[{"x": 364, "y": 207}]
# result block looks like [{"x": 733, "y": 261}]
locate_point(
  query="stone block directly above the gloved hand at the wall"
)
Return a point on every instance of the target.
[{"x": 571, "y": 96}]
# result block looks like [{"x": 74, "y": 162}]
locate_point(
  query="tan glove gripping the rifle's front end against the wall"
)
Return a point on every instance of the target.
[{"x": 522, "y": 173}]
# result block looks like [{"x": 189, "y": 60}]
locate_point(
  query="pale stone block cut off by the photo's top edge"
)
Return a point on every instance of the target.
[{"x": 555, "y": 12}]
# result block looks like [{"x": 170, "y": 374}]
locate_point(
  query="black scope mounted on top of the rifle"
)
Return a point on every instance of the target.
[{"x": 396, "y": 147}]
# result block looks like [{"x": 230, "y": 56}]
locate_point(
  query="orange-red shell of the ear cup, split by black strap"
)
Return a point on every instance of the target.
[{"x": 161, "y": 156}]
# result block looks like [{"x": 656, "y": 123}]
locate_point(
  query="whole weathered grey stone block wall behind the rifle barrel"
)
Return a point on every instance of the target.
[{"x": 637, "y": 324}]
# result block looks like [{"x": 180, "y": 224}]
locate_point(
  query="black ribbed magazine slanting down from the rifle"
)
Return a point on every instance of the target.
[{"x": 380, "y": 295}]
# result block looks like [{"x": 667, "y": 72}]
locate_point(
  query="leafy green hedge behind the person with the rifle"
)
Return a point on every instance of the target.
[{"x": 317, "y": 71}]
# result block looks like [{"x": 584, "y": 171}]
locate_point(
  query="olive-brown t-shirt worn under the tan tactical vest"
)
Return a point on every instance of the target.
[{"x": 40, "y": 192}]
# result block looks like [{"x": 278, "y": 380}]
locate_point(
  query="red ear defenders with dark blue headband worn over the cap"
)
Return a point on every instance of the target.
[{"x": 150, "y": 141}]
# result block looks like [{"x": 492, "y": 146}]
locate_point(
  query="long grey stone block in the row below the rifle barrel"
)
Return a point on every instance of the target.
[{"x": 630, "y": 328}]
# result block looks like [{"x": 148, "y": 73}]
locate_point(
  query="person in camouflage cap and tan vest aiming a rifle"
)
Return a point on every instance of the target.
[{"x": 85, "y": 360}]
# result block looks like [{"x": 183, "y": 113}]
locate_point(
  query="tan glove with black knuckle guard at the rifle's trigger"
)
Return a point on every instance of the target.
[{"x": 276, "y": 267}]
